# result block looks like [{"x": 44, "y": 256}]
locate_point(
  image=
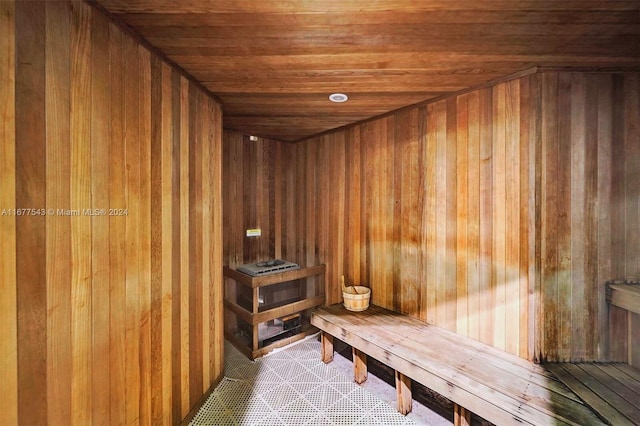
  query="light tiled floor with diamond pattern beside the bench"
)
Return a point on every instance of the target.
[{"x": 293, "y": 387}]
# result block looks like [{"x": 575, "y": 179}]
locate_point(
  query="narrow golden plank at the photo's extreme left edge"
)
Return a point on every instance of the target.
[{"x": 8, "y": 300}]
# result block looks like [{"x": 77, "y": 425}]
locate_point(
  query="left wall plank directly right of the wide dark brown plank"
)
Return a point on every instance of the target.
[{"x": 58, "y": 229}]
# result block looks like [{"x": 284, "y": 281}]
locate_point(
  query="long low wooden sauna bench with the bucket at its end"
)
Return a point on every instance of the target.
[{"x": 500, "y": 387}]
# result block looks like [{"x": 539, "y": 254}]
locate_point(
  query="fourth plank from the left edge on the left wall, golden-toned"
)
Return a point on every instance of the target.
[{"x": 81, "y": 365}]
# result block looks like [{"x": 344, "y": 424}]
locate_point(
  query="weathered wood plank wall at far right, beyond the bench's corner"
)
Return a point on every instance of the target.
[{"x": 589, "y": 217}]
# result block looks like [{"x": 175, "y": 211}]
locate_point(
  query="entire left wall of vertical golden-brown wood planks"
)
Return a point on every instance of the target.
[{"x": 116, "y": 317}]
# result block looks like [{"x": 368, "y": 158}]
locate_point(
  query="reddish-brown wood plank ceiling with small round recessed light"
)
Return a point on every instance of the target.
[{"x": 274, "y": 63}]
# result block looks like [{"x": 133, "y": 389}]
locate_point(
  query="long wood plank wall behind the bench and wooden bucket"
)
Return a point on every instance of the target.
[{"x": 429, "y": 207}]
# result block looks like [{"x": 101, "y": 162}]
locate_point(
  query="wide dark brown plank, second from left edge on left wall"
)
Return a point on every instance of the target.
[{"x": 30, "y": 191}]
